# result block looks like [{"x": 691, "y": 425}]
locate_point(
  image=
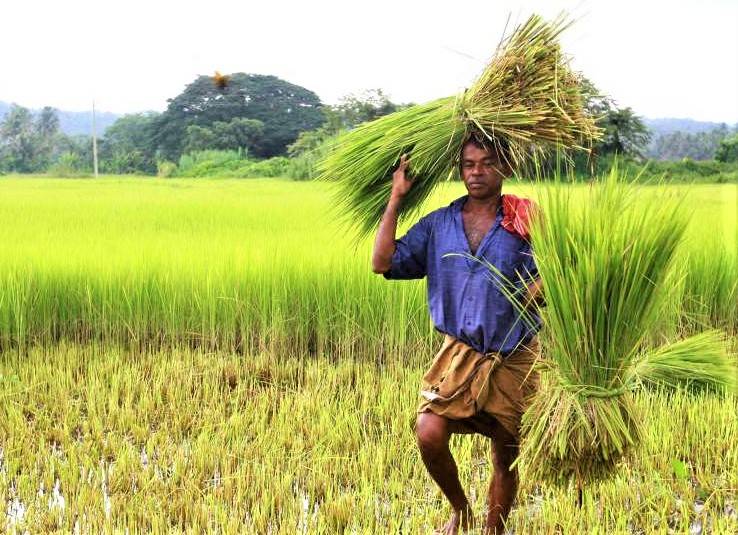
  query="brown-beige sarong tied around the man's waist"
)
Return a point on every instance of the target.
[{"x": 477, "y": 389}]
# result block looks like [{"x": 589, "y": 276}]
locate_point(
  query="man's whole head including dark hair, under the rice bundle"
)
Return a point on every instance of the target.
[{"x": 483, "y": 167}]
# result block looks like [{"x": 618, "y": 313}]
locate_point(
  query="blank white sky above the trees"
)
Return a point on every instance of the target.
[{"x": 666, "y": 58}]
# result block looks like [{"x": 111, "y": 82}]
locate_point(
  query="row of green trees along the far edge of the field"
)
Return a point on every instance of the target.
[{"x": 263, "y": 117}]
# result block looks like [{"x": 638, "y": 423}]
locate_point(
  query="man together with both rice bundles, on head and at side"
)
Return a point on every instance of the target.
[{"x": 605, "y": 288}]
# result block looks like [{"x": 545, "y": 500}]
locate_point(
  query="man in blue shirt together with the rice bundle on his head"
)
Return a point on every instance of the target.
[{"x": 476, "y": 252}]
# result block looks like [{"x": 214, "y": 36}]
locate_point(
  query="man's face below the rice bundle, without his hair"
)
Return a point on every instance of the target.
[{"x": 482, "y": 172}]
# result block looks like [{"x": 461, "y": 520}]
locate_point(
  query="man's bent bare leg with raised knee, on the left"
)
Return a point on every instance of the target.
[{"x": 433, "y": 433}]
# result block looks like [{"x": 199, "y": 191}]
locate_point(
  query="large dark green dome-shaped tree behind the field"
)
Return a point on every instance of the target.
[{"x": 285, "y": 110}]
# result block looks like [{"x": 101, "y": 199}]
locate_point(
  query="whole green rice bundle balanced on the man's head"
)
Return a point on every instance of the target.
[{"x": 527, "y": 97}]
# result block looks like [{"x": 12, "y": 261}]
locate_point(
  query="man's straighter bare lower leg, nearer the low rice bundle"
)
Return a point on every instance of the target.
[{"x": 504, "y": 484}]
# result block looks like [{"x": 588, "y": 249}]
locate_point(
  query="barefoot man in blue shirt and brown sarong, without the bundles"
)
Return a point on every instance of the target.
[{"x": 481, "y": 379}]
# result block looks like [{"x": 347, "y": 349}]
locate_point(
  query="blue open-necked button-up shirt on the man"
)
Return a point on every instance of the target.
[{"x": 465, "y": 298}]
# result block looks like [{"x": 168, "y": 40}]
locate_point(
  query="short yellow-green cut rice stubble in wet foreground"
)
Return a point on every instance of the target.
[{"x": 183, "y": 441}]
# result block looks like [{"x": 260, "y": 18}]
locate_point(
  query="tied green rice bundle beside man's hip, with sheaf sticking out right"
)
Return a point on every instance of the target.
[{"x": 605, "y": 261}]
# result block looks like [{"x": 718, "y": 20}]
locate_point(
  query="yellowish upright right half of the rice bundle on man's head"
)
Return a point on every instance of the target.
[{"x": 528, "y": 95}]
